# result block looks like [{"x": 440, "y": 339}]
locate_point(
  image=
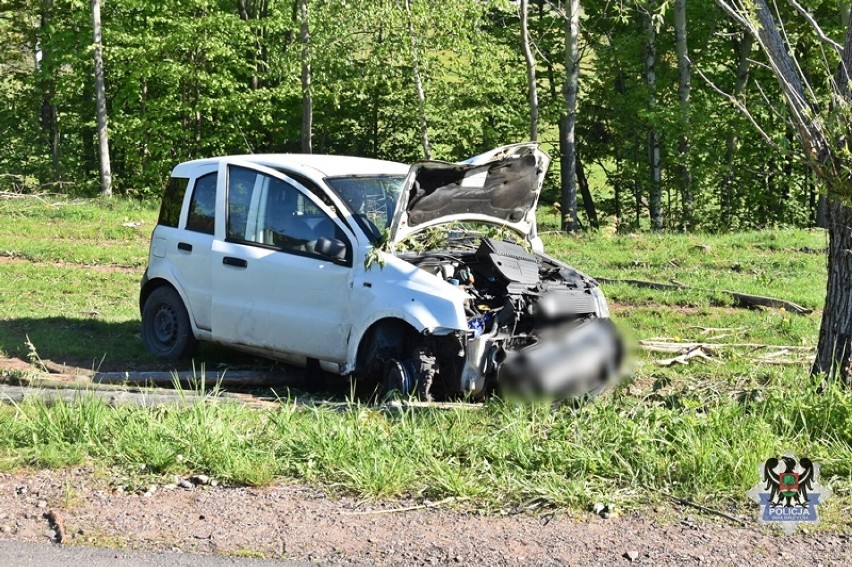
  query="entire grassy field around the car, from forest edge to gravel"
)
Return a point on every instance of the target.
[{"x": 69, "y": 275}]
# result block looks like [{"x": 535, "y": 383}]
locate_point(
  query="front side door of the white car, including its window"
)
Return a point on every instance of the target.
[{"x": 271, "y": 289}]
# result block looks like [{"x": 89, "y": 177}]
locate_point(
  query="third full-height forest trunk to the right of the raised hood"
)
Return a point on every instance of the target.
[{"x": 685, "y": 174}]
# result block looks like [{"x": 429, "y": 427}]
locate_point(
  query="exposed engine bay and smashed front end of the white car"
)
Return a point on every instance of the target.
[{"x": 535, "y": 325}]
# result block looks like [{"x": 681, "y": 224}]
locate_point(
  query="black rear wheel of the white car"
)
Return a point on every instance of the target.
[{"x": 166, "y": 330}]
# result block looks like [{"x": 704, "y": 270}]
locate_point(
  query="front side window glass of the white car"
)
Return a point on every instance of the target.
[{"x": 268, "y": 211}]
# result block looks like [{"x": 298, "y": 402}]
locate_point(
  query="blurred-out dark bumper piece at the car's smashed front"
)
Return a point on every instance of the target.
[{"x": 571, "y": 362}]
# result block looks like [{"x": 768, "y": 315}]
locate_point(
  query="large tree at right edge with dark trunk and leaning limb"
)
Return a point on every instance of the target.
[{"x": 824, "y": 133}]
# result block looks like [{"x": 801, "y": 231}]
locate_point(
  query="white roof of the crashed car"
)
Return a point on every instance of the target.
[{"x": 325, "y": 165}]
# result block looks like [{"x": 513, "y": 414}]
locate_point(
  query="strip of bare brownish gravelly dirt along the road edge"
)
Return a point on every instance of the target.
[{"x": 296, "y": 522}]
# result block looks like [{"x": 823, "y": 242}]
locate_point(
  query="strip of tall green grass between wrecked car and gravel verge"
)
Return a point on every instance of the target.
[{"x": 621, "y": 448}]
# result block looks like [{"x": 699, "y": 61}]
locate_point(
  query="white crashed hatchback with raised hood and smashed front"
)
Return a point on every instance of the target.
[{"x": 367, "y": 267}]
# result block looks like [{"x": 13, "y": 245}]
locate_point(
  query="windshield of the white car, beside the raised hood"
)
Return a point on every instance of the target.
[{"x": 372, "y": 199}]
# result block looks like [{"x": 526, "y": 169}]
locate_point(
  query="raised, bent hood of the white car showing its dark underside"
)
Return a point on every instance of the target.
[{"x": 500, "y": 187}]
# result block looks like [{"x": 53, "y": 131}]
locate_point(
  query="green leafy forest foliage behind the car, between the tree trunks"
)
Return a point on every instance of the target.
[{"x": 188, "y": 79}]
